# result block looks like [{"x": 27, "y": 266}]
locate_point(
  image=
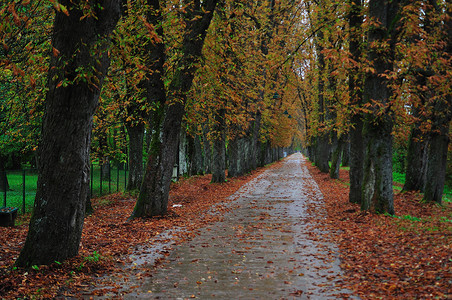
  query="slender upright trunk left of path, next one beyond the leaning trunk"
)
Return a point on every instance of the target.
[{"x": 219, "y": 148}]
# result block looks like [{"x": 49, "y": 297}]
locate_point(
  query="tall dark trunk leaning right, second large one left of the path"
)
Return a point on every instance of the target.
[{"x": 153, "y": 198}]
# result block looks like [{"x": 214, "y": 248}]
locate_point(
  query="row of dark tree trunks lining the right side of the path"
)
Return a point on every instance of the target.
[{"x": 370, "y": 149}]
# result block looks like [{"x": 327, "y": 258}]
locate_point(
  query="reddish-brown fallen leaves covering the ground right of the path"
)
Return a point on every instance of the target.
[{"x": 408, "y": 256}]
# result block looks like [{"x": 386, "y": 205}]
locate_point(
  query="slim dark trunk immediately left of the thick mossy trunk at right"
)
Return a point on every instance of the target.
[{"x": 355, "y": 90}]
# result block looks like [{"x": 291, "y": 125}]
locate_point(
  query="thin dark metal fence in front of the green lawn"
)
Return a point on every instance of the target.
[{"x": 22, "y": 184}]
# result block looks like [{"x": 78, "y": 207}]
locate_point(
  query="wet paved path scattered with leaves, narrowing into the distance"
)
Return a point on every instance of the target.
[{"x": 266, "y": 247}]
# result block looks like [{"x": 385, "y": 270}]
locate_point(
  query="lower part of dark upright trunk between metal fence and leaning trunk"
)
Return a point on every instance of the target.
[{"x": 136, "y": 139}]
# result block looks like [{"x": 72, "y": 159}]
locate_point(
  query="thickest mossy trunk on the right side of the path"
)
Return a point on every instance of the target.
[{"x": 377, "y": 183}]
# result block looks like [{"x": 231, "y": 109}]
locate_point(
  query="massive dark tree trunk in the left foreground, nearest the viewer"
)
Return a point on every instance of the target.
[{"x": 56, "y": 224}]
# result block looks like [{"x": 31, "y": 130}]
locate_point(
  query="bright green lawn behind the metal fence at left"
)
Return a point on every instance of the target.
[{"x": 16, "y": 197}]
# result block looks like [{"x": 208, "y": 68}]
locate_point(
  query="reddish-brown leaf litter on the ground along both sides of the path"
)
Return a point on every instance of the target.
[{"x": 384, "y": 257}]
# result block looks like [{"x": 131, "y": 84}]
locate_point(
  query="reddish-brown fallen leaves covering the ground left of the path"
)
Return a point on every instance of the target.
[{"x": 108, "y": 238}]
